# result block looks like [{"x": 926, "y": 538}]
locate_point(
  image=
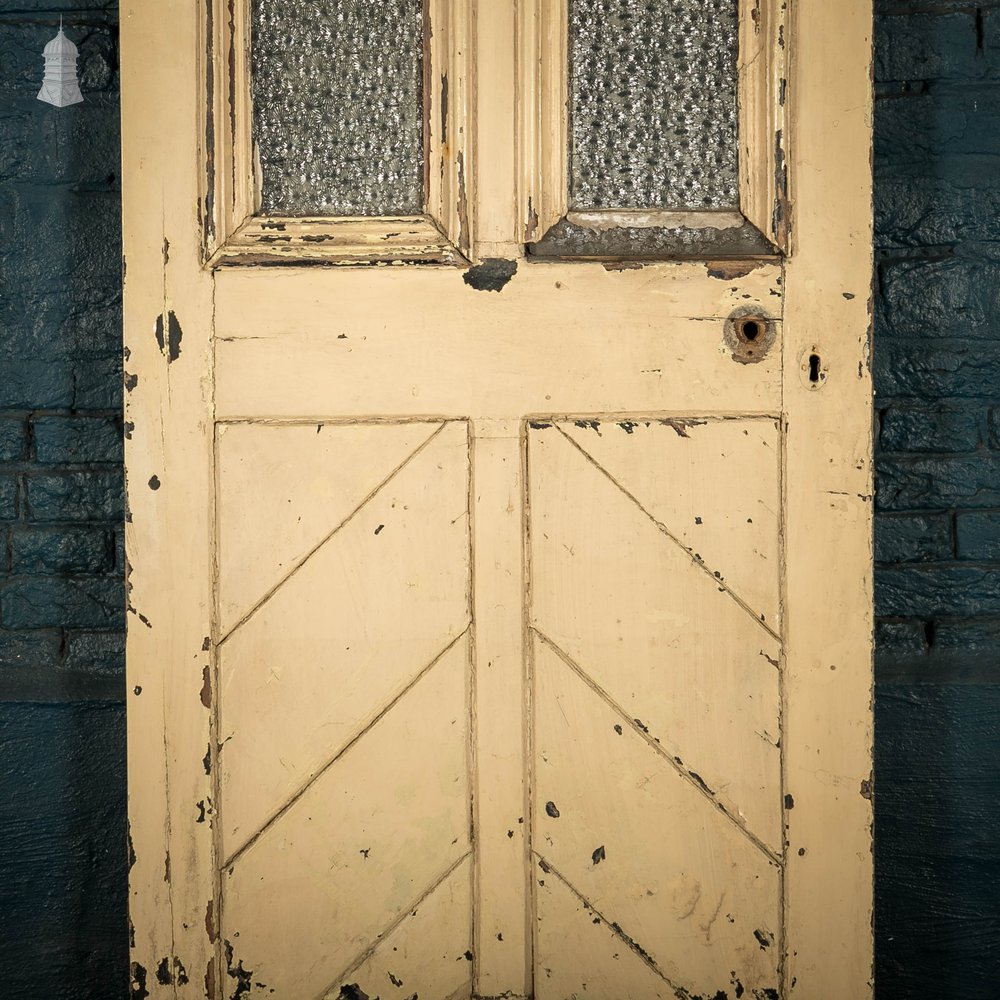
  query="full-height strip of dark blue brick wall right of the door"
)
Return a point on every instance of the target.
[{"x": 937, "y": 578}]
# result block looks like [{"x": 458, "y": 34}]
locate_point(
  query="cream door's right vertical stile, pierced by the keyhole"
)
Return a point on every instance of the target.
[{"x": 828, "y": 474}]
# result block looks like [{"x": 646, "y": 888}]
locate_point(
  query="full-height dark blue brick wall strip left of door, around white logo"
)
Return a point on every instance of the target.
[{"x": 62, "y": 796}]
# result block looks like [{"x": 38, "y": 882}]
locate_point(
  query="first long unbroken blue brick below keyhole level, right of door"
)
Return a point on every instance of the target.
[{"x": 905, "y": 483}]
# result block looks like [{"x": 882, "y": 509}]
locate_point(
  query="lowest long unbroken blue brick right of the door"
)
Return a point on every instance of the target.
[{"x": 929, "y": 591}]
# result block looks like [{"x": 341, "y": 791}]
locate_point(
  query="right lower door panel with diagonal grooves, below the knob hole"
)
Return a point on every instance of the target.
[{"x": 655, "y": 626}]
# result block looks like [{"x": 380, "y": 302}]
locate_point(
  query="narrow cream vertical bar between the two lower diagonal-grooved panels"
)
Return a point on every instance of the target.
[{"x": 502, "y": 912}]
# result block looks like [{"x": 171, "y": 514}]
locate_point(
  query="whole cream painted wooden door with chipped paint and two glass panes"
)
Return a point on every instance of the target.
[{"x": 499, "y": 478}]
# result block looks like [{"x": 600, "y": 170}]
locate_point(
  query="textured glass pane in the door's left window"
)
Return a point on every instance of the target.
[{"x": 337, "y": 105}]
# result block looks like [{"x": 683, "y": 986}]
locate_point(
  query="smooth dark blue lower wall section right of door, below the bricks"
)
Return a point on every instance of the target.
[{"x": 937, "y": 855}]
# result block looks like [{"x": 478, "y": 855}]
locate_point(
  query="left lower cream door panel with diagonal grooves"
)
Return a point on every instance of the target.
[{"x": 344, "y": 723}]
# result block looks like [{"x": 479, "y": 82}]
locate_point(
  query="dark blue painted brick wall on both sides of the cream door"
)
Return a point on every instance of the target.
[{"x": 937, "y": 365}]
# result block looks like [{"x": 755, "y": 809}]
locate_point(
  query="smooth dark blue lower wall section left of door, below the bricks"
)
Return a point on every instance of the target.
[{"x": 63, "y": 829}]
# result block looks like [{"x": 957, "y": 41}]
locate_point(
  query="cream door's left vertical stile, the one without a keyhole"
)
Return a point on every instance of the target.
[{"x": 168, "y": 310}]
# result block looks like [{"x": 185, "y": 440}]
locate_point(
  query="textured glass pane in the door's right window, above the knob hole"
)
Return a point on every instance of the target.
[{"x": 653, "y": 103}]
